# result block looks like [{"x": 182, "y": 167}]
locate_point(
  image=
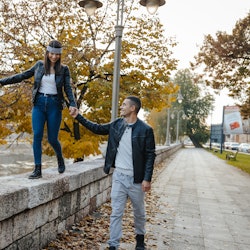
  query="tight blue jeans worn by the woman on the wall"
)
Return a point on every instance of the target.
[{"x": 46, "y": 110}]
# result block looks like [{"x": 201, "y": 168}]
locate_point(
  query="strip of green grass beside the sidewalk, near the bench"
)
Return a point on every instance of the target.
[{"x": 242, "y": 160}]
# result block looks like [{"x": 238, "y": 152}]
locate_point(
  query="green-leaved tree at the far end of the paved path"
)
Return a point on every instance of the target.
[{"x": 196, "y": 105}]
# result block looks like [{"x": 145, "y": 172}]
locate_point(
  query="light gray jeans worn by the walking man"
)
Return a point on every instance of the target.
[{"x": 123, "y": 187}]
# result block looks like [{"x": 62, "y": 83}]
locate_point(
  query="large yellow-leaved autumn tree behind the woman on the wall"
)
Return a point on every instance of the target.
[{"x": 27, "y": 26}]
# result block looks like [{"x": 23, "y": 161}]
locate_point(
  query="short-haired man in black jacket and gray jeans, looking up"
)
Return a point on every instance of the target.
[{"x": 131, "y": 151}]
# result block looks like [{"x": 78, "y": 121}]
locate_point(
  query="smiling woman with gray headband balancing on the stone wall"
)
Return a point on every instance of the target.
[{"x": 51, "y": 78}]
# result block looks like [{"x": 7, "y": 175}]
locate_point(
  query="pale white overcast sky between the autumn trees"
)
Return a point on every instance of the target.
[{"x": 190, "y": 20}]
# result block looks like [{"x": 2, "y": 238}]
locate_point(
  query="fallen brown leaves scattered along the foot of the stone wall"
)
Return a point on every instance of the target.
[{"x": 92, "y": 231}]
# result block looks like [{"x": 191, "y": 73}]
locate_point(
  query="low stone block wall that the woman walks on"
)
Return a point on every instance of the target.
[{"x": 33, "y": 212}]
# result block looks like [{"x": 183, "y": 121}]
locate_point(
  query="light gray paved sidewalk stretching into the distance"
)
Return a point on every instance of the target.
[{"x": 201, "y": 203}]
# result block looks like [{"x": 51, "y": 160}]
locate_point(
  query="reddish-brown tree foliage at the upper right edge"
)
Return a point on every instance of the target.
[{"x": 227, "y": 62}]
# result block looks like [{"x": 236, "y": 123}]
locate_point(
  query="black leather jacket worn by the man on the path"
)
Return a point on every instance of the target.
[{"x": 143, "y": 145}]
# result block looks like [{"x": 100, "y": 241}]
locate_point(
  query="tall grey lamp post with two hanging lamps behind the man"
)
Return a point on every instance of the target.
[{"x": 90, "y": 6}]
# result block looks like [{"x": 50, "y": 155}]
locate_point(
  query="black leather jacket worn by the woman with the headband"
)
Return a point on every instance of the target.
[{"x": 62, "y": 81}]
